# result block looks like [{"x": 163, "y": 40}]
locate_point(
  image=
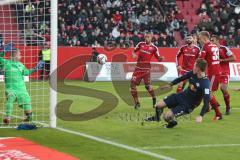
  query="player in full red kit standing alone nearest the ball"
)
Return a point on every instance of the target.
[{"x": 143, "y": 53}]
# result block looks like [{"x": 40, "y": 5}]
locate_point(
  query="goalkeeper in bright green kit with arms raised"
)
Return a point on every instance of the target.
[{"x": 15, "y": 88}]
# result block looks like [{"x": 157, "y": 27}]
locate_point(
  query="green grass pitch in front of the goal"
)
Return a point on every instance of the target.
[{"x": 119, "y": 126}]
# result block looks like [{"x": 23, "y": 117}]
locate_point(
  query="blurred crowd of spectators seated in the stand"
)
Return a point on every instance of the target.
[{"x": 123, "y": 23}]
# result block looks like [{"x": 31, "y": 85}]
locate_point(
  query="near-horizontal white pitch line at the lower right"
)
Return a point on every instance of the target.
[{"x": 192, "y": 146}]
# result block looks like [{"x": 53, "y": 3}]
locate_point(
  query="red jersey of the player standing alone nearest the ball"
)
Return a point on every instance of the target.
[{"x": 145, "y": 53}]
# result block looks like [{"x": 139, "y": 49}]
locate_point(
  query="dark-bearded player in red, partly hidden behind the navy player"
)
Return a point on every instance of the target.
[{"x": 189, "y": 53}]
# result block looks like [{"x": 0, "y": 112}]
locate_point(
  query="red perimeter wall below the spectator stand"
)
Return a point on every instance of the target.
[{"x": 66, "y": 53}]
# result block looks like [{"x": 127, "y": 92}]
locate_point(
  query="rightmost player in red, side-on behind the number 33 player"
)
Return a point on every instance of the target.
[{"x": 226, "y": 56}]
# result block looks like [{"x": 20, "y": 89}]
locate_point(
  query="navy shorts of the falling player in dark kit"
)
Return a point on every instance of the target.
[{"x": 177, "y": 104}]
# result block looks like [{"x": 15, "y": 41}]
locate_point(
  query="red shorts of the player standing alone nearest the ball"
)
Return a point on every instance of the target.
[{"x": 140, "y": 74}]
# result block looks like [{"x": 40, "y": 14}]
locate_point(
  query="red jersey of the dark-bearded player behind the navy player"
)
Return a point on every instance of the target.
[{"x": 189, "y": 57}]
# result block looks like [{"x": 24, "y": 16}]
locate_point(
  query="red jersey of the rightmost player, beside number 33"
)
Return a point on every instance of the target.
[{"x": 224, "y": 52}]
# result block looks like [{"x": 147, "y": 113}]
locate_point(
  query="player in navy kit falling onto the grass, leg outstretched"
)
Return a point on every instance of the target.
[{"x": 185, "y": 102}]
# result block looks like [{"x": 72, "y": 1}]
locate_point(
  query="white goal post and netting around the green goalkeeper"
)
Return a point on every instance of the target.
[{"x": 32, "y": 26}]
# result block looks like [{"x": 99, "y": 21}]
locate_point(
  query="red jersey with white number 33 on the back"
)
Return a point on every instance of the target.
[{"x": 210, "y": 52}]
